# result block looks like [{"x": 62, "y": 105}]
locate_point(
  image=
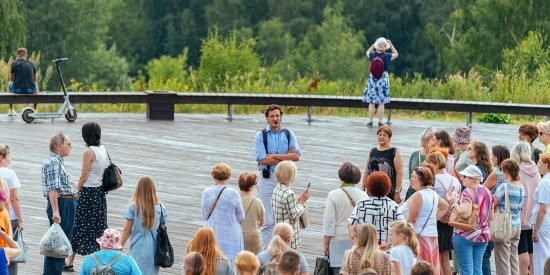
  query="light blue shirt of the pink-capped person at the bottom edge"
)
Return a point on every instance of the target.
[{"x": 124, "y": 266}]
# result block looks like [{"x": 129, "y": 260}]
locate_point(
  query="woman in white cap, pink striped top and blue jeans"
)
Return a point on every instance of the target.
[{"x": 470, "y": 245}]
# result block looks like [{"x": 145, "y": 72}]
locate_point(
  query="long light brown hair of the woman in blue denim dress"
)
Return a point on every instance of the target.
[{"x": 145, "y": 198}]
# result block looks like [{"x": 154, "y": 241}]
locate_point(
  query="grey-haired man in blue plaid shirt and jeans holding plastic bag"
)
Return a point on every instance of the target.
[{"x": 60, "y": 192}]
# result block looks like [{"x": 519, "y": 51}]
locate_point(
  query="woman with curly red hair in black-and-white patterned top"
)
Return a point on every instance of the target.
[{"x": 377, "y": 209}]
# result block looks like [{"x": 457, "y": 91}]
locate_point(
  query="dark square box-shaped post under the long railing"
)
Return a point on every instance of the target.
[{"x": 160, "y": 105}]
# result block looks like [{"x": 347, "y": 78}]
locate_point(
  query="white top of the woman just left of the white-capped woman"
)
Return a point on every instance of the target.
[{"x": 430, "y": 200}]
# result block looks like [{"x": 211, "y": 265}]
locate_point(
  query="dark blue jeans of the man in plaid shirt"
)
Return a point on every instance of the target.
[{"x": 67, "y": 212}]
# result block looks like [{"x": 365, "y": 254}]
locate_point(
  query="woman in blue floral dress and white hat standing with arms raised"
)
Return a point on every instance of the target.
[{"x": 378, "y": 87}]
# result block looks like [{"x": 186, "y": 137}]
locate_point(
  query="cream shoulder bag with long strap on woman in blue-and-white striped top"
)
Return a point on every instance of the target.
[{"x": 501, "y": 225}]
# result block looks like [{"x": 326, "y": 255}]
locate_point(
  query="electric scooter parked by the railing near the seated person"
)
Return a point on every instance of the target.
[{"x": 29, "y": 115}]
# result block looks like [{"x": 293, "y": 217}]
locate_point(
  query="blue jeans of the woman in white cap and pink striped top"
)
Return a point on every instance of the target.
[{"x": 469, "y": 255}]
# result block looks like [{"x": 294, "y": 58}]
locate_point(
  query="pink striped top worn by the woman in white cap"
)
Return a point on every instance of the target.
[{"x": 484, "y": 199}]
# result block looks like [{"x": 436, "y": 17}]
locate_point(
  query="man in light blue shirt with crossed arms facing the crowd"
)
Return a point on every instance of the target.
[{"x": 279, "y": 148}]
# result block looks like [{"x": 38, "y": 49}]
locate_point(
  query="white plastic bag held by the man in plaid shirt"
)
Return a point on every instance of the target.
[{"x": 55, "y": 243}]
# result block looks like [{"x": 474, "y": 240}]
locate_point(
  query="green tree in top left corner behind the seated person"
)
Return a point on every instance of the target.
[{"x": 14, "y": 28}]
